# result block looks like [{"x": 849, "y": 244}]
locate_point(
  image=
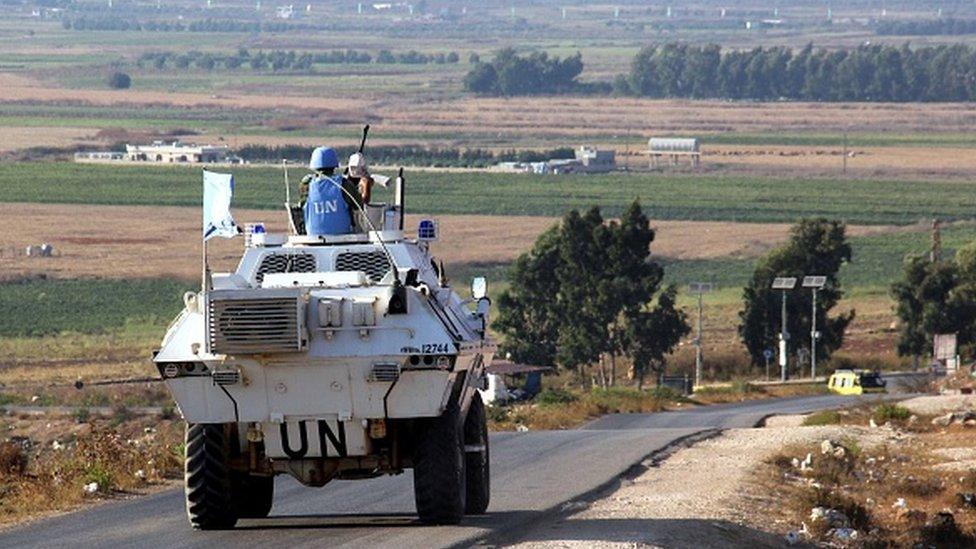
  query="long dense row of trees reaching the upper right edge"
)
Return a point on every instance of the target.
[{"x": 866, "y": 73}]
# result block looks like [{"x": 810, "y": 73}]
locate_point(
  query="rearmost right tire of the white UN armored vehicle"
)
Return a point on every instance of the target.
[{"x": 438, "y": 469}]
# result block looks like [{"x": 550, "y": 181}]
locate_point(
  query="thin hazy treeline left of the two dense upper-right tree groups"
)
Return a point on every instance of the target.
[{"x": 285, "y": 60}]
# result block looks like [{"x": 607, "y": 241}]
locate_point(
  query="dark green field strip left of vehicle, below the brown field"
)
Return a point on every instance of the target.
[{"x": 33, "y": 308}]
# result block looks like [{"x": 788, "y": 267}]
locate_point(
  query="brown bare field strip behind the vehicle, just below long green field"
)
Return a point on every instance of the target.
[{"x": 164, "y": 241}]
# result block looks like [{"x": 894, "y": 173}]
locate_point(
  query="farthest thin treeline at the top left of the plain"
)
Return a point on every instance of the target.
[{"x": 108, "y": 23}]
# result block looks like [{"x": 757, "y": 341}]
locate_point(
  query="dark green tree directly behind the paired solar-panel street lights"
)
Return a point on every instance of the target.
[{"x": 815, "y": 247}]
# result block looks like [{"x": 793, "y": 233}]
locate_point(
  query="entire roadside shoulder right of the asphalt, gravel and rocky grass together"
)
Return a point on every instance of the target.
[{"x": 886, "y": 474}]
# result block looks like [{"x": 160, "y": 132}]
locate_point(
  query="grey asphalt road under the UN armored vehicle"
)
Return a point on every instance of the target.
[{"x": 534, "y": 475}]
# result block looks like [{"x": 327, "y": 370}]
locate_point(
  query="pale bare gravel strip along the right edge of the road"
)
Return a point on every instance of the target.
[{"x": 701, "y": 496}]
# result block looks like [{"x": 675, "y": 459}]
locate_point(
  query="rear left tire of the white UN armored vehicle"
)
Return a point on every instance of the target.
[{"x": 208, "y": 477}]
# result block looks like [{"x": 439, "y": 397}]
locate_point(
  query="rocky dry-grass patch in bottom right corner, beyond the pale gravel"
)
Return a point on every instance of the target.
[{"x": 894, "y": 493}]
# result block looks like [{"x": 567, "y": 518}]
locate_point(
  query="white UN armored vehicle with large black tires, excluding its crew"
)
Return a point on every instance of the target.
[{"x": 331, "y": 357}]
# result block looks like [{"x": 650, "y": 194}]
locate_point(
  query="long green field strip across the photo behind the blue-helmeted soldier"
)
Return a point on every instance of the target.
[{"x": 692, "y": 197}]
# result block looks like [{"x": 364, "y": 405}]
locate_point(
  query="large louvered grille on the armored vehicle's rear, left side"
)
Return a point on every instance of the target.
[{"x": 241, "y": 326}]
